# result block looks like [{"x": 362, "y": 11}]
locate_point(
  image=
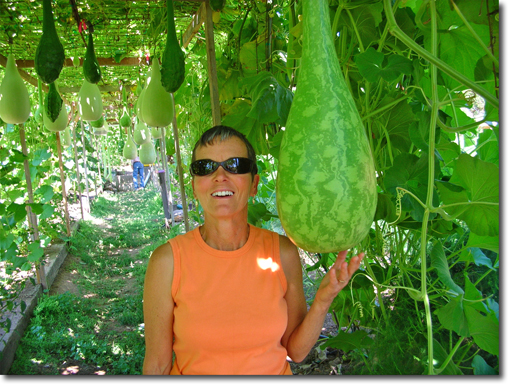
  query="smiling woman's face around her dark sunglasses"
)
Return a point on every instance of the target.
[{"x": 240, "y": 186}]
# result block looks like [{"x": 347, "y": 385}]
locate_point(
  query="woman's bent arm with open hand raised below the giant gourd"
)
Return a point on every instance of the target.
[{"x": 304, "y": 327}]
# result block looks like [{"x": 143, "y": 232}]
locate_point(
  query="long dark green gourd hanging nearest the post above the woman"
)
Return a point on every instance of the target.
[{"x": 173, "y": 58}]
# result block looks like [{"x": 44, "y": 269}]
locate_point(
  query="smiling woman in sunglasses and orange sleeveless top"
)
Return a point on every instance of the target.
[{"x": 227, "y": 297}]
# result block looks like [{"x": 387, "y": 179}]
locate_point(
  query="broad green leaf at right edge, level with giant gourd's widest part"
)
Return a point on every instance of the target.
[{"x": 478, "y": 203}]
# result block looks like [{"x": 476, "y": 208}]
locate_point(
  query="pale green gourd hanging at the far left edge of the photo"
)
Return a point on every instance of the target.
[{"x": 14, "y": 97}]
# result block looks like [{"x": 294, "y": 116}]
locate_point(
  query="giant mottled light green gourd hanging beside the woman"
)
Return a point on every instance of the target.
[{"x": 326, "y": 183}]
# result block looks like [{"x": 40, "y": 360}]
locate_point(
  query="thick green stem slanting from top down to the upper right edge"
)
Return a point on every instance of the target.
[{"x": 423, "y": 53}]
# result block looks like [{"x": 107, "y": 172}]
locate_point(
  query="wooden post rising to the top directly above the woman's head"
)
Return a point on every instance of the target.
[{"x": 212, "y": 70}]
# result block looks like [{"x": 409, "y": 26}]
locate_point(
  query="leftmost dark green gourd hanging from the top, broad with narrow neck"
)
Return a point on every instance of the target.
[{"x": 49, "y": 58}]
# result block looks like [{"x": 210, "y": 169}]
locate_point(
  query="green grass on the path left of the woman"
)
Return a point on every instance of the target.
[{"x": 101, "y": 328}]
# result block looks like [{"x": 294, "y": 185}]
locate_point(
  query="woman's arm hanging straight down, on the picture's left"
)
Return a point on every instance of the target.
[{"x": 158, "y": 312}]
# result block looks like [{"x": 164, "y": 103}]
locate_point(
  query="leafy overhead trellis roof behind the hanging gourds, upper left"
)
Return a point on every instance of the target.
[{"x": 126, "y": 35}]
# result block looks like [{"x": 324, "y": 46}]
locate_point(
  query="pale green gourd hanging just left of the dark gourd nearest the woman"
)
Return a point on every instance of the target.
[{"x": 157, "y": 104}]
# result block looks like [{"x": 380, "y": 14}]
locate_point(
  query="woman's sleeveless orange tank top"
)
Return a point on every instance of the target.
[{"x": 230, "y": 312}]
